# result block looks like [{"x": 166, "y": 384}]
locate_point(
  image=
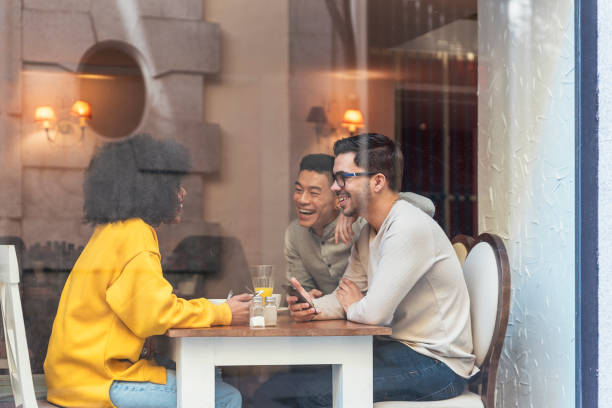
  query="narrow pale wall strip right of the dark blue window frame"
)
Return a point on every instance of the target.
[{"x": 604, "y": 13}]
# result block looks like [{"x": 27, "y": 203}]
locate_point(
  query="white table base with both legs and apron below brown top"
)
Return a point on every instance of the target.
[{"x": 196, "y": 358}]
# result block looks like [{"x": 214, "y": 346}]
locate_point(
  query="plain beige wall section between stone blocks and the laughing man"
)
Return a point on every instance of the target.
[{"x": 249, "y": 101}]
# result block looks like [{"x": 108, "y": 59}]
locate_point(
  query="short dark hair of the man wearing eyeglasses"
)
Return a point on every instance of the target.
[{"x": 377, "y": 153}]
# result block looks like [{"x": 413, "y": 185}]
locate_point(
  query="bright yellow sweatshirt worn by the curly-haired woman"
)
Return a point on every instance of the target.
[{"x": 114, "y": 298}]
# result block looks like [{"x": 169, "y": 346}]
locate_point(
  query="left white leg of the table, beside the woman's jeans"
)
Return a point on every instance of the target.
[{"x": 195, "y": 373}]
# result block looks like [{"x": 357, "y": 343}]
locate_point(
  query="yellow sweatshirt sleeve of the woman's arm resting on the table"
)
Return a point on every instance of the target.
[{"x": 144, "y": 301}]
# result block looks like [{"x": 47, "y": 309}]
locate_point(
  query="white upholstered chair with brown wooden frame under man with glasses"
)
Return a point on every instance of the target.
[{"x": 487, "y": 275}]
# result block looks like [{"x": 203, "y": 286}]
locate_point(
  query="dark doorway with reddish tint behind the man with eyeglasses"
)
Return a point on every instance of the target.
[{"x": 437, "y": 128}]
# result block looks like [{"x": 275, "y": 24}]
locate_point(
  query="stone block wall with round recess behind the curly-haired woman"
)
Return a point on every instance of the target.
[{"x": 104, "y": 53}]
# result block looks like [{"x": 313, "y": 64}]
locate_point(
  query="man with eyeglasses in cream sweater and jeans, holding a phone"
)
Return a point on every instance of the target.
[{"x": 402, "y": 273}]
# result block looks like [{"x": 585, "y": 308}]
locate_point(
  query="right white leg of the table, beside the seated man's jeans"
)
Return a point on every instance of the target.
[{"x": 352, "y": 380}]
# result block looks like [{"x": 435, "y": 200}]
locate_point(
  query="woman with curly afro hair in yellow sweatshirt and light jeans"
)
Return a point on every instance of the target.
[{"x": 116, "y": 295}]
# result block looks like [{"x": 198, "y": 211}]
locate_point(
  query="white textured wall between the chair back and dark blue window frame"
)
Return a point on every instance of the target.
[{"x": 526, "y": 188}]
